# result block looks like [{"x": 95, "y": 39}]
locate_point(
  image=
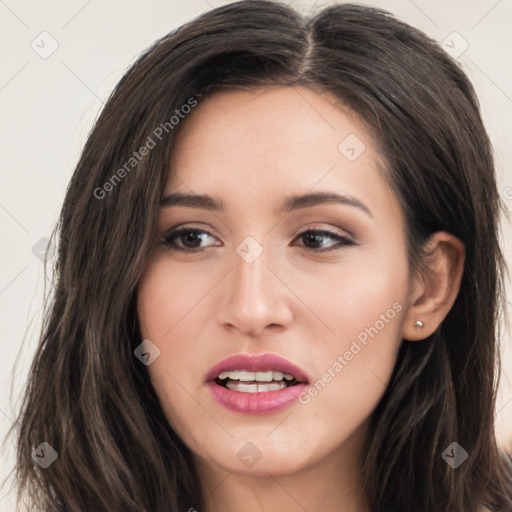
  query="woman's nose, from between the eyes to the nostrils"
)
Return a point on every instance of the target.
[{"x": 257, "y": 301}]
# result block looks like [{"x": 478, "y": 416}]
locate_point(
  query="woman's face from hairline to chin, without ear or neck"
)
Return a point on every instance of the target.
[{"x": 321, "y": 284}]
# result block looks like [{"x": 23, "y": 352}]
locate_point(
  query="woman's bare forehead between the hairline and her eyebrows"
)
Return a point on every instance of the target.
[{"x": 273, "y": 141}]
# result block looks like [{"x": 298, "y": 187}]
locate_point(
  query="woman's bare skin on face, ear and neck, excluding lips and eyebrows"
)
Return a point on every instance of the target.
[{"x": 253, "y": 149}]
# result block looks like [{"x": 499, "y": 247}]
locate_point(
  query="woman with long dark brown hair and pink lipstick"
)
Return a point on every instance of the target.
[{"x": 278, "y": 281}]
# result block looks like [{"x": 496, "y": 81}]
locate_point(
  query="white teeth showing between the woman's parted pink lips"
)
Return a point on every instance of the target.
[{"x": 255, "y": 382}]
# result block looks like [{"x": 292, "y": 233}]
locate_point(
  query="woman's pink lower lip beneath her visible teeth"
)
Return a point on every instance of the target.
[{"x": 255, "y": 403}]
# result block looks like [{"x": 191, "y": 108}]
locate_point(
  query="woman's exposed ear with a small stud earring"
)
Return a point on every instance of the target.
[{"x": 434, "y": 290}]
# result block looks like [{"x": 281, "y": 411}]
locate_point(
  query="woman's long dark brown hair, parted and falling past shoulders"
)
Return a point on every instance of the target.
[{"x": 88, "y": 396}]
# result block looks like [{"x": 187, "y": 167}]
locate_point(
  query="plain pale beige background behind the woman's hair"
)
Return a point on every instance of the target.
[{"x": 48, "y": 106}]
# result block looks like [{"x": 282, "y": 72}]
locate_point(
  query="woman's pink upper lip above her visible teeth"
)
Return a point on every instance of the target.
[{"x": 257, "y": 363}]
